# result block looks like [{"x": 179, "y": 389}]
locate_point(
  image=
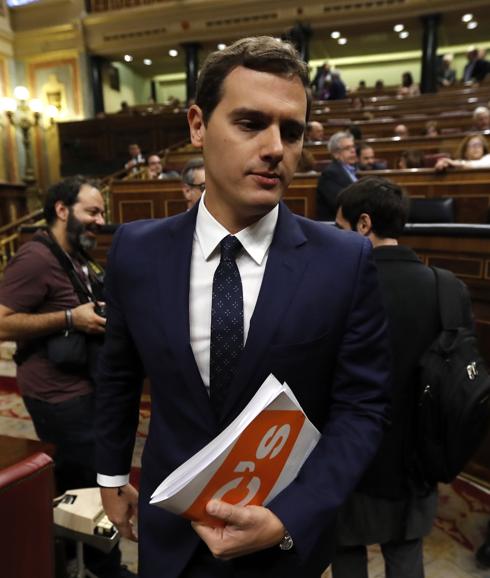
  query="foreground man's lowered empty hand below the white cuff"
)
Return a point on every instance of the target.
[{"x": 121, "y": 506}]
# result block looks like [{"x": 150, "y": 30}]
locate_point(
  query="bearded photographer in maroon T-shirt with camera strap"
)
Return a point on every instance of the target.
[{"x": 51, "y": 293}]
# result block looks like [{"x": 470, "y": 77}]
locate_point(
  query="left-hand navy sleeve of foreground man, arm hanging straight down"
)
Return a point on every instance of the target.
[{"x": 119, "y": 379}]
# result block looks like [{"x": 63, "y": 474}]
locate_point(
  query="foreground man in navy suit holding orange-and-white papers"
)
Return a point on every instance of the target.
[{"x": 312, "y": 316}]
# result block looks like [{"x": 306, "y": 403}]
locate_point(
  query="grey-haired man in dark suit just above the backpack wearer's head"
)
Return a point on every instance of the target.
[{"x": 340, "y": 173}]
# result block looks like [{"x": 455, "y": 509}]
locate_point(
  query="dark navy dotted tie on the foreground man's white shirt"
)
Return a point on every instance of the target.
[{"x": 226, "y": 322}]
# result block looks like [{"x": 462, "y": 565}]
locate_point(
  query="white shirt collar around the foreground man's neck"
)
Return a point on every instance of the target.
[{"x": 256, "y": 239}]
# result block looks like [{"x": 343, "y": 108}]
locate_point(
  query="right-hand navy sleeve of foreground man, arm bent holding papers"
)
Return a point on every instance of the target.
[{"x": 358, "y": 414}]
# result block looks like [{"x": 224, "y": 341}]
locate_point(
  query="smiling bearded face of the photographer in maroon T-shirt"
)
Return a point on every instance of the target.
[{"x": 85, "y": 218}]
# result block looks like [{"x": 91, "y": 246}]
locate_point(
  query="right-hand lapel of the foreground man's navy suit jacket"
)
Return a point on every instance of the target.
[{"x": 285, "y": 266}]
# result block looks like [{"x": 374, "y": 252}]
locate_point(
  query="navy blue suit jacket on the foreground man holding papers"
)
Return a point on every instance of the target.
[{"x": 318, "y": 324}]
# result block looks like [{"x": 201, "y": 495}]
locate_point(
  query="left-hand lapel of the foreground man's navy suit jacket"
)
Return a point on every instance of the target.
[{"x": 174, "y": 281}]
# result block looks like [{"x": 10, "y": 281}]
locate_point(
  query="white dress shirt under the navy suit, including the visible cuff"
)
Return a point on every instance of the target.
[{"x": 256, "y": 240}]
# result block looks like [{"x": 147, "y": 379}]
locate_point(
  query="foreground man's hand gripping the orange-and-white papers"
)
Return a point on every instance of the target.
[{"x": 247, "y": 529}]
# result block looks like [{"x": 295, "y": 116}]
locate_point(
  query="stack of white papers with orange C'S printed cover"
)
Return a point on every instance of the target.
[{"x": 249, "y": 462}]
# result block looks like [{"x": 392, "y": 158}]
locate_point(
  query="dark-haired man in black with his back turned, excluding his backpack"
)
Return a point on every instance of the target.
[{"x": 394, "y": 504}]
